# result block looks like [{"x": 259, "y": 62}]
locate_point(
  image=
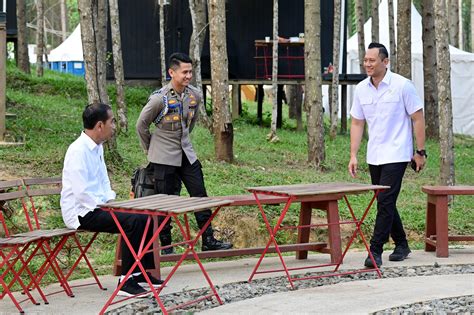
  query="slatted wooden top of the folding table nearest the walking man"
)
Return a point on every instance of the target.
[{"x": 317, "y": 188}]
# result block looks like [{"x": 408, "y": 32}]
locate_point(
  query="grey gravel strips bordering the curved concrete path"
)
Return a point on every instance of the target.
[{"x": 233, "y": 292}]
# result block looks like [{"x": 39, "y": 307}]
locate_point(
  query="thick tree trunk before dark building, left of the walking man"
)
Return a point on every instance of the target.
[{"x": 313, "y": 93}]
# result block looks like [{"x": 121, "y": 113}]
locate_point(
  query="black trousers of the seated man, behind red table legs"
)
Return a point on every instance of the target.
[{"x": 133, "y": 225}]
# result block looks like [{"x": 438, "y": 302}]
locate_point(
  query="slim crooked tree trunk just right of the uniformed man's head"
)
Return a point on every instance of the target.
[{"x": 198, "y": 18}]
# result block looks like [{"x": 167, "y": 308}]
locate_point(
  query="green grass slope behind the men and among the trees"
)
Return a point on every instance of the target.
[{"x": 48, "y": 119}]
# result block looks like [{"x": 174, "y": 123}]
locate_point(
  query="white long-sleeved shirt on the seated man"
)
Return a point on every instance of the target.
[{"x": 85, "y": 180}]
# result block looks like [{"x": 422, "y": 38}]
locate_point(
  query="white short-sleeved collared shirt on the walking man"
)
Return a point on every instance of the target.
[{"x": 387, "y": 111}]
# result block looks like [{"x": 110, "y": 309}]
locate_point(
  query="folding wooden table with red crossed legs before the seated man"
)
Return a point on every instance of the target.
[{"x": 167, "y": 207}]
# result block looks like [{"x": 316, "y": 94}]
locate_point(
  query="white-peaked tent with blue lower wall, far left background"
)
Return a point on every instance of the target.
[{"x": 68, "y": 56}]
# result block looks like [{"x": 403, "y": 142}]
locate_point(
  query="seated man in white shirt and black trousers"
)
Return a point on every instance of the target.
[{"x": 85, "y": 184}]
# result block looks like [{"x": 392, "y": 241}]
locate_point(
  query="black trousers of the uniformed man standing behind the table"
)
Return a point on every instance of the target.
[{"x": 166, "y": 179}]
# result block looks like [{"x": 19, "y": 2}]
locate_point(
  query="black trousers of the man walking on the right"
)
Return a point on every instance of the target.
[{"x": 388, "y": 221}]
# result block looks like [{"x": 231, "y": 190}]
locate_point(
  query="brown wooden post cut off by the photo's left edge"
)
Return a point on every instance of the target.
[{"x": 3, "y": 75}]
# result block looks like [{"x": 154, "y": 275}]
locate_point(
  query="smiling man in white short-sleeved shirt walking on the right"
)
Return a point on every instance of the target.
[{"x": 389, "y": 104}]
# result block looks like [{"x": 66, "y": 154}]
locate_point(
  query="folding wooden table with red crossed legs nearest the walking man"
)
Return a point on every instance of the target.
[{"x": 314, "y": 194}]
